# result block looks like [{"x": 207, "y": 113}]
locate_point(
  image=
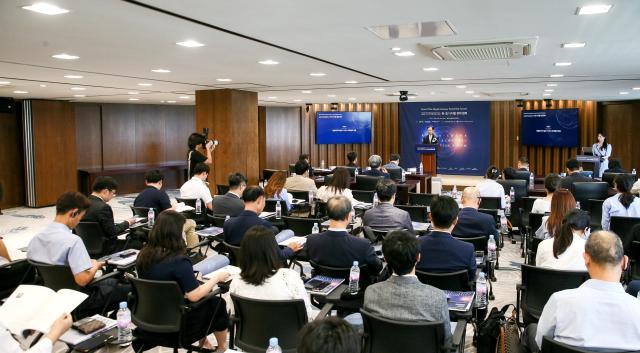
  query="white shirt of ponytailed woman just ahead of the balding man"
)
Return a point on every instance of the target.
[{"x": 570, "y": 260}]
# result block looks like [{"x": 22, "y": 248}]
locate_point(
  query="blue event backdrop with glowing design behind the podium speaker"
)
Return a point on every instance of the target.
[{"x": 462, "y": 129}]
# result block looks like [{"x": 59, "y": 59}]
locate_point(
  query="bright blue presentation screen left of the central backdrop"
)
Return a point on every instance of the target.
[{"x": 343, "y": 127}]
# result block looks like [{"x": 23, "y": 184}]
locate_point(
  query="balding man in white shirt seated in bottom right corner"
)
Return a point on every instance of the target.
[{"x": 598, "y": 315}]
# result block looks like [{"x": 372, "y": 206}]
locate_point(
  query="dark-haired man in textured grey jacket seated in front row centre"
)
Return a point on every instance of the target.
[{"x": 403, "y": 297}]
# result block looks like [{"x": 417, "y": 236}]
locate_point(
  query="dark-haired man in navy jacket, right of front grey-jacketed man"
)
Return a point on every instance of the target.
[{"x": 440, "y": 252}]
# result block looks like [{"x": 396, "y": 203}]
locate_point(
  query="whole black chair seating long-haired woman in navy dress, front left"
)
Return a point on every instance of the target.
[{"x": 161, "y": 320}]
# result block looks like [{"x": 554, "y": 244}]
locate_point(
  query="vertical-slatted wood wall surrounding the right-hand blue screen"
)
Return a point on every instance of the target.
[{"x": 505, "y": 135}]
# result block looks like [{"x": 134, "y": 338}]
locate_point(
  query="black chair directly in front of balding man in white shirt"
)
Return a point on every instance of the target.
[{"x": 537, "y": 286}]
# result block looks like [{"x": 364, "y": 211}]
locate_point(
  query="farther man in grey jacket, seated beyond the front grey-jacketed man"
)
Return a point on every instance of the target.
[{"x": 385, "y": 215}]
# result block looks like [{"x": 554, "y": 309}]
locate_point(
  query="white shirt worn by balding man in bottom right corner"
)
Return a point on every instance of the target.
[{"x": 598, "y": 314}]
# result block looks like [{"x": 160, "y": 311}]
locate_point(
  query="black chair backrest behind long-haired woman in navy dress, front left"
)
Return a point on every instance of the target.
[{"x": 156, "y": 313}]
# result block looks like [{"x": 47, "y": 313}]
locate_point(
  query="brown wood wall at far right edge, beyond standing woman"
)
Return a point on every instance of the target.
[{"x": 620, "y": 122}]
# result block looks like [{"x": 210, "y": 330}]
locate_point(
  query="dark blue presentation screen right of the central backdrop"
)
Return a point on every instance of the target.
[{"x": 550, "y": 128}]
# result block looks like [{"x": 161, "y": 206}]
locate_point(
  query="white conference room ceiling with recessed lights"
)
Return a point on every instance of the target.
[{"x": 119, "y": 42}]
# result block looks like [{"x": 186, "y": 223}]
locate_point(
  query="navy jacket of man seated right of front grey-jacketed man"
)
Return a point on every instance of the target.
[{"x": 441, "y": 253}]
